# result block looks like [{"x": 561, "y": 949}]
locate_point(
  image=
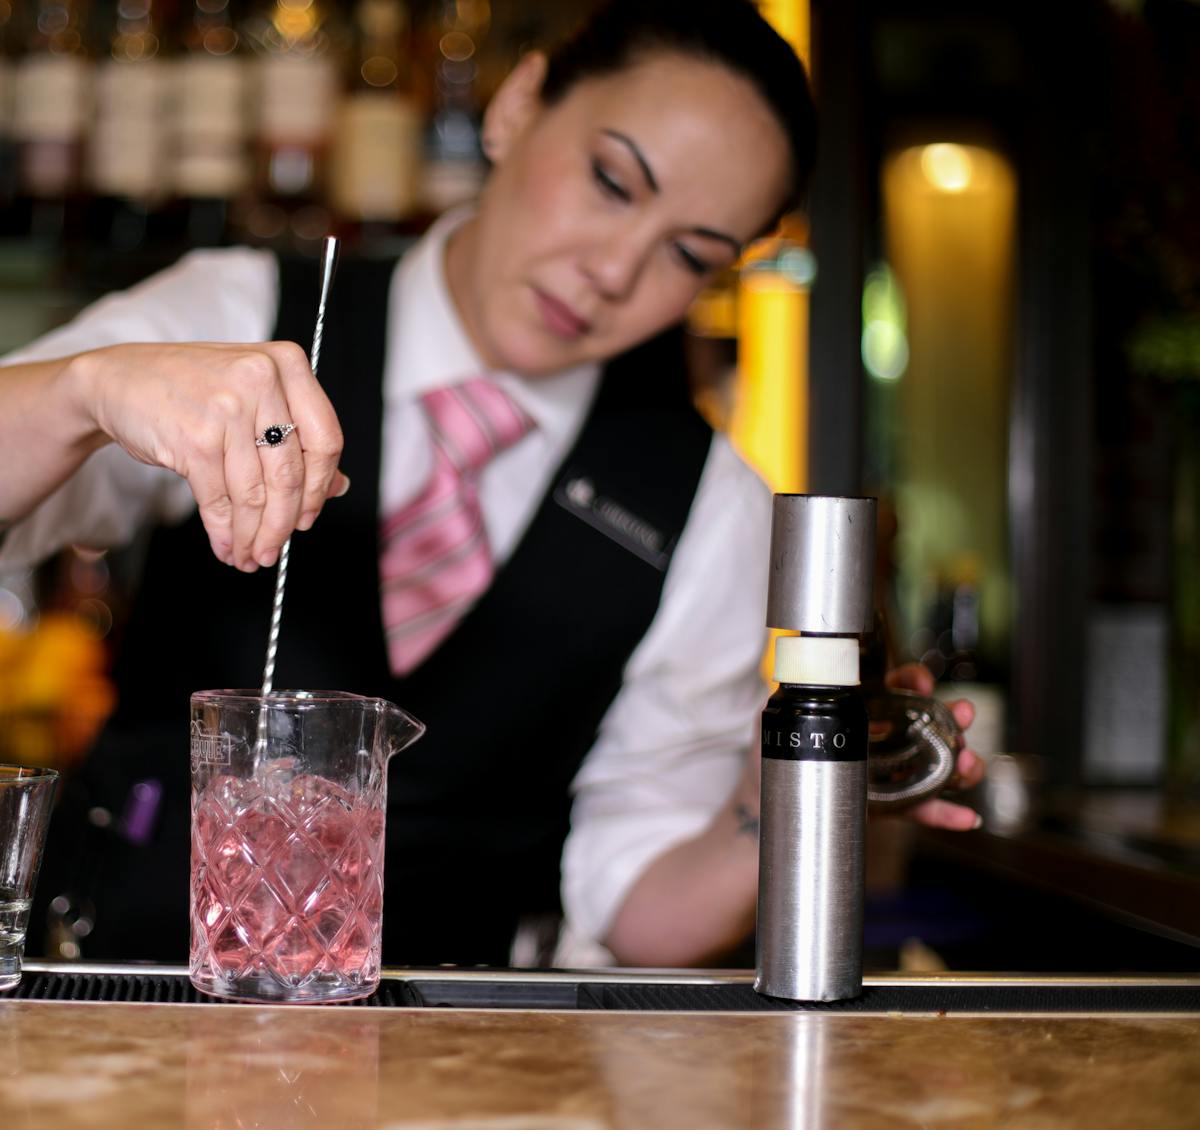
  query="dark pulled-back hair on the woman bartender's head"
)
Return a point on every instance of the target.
[{"x": 730, "y": 33}]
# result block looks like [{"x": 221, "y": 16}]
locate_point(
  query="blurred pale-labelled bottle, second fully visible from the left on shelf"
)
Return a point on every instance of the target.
[{"x": 127, "y": 159}]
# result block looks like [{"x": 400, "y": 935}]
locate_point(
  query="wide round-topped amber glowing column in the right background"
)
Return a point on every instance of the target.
[{"x": 953, "y": 256}]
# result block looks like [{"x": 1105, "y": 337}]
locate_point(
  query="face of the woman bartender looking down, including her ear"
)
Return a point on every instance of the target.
[{"x": 608, "y": 212}]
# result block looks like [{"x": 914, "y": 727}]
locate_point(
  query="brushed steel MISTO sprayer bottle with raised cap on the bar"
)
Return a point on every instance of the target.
[{"x": 813, "y": 831}]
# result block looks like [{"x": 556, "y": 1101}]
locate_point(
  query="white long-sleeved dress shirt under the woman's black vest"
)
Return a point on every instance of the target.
[{"x": 674, "y": 742}]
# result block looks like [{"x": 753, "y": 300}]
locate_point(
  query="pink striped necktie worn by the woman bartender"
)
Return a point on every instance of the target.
[{"x": 435, "y": 560}]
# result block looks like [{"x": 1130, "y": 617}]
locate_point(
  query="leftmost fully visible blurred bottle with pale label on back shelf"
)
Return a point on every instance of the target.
[{"x": 52, "y": 93}]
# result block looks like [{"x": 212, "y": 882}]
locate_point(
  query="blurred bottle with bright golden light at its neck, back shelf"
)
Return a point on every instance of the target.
[{"x": 297, "y": 44}]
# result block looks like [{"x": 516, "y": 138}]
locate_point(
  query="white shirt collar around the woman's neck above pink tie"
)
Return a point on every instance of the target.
[{"x": 429, "y": 348}]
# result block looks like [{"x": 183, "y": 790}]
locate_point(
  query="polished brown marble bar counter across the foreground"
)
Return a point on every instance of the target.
[{"x": 557, "y": 1067}]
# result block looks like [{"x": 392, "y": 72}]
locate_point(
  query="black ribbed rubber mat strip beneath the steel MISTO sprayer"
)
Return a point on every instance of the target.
[{"x": 902, "y": 999}]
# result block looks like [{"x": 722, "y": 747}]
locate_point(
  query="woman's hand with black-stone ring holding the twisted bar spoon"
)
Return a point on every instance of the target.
[{"x": 197, "y": 410}]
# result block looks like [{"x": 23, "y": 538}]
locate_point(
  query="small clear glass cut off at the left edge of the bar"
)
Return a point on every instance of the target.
[{"x": 27, "y": 797}]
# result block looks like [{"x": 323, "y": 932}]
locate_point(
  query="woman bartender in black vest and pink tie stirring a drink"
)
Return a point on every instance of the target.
[{"x": 545, "y": 555}]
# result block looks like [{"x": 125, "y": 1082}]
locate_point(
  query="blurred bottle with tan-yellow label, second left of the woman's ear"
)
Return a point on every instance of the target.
[{"x": 376, "y": 160}]
